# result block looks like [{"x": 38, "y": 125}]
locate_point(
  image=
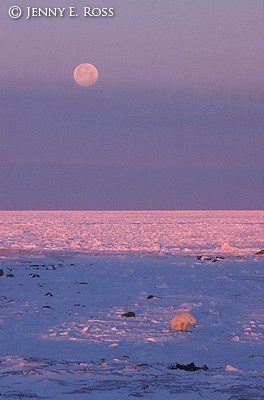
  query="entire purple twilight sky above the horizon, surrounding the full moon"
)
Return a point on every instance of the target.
[{"x": 175, "y": 121}]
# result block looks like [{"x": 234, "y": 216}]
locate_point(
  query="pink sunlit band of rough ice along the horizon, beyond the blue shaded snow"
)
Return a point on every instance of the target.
[{"x": 137, "y": 232}]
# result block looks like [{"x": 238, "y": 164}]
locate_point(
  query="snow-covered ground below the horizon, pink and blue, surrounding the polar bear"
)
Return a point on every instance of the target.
[{"x": 63, "y": 335}]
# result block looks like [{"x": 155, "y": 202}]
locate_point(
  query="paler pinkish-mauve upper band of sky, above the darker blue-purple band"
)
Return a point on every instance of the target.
[{"x": 172, "y": 42}]
